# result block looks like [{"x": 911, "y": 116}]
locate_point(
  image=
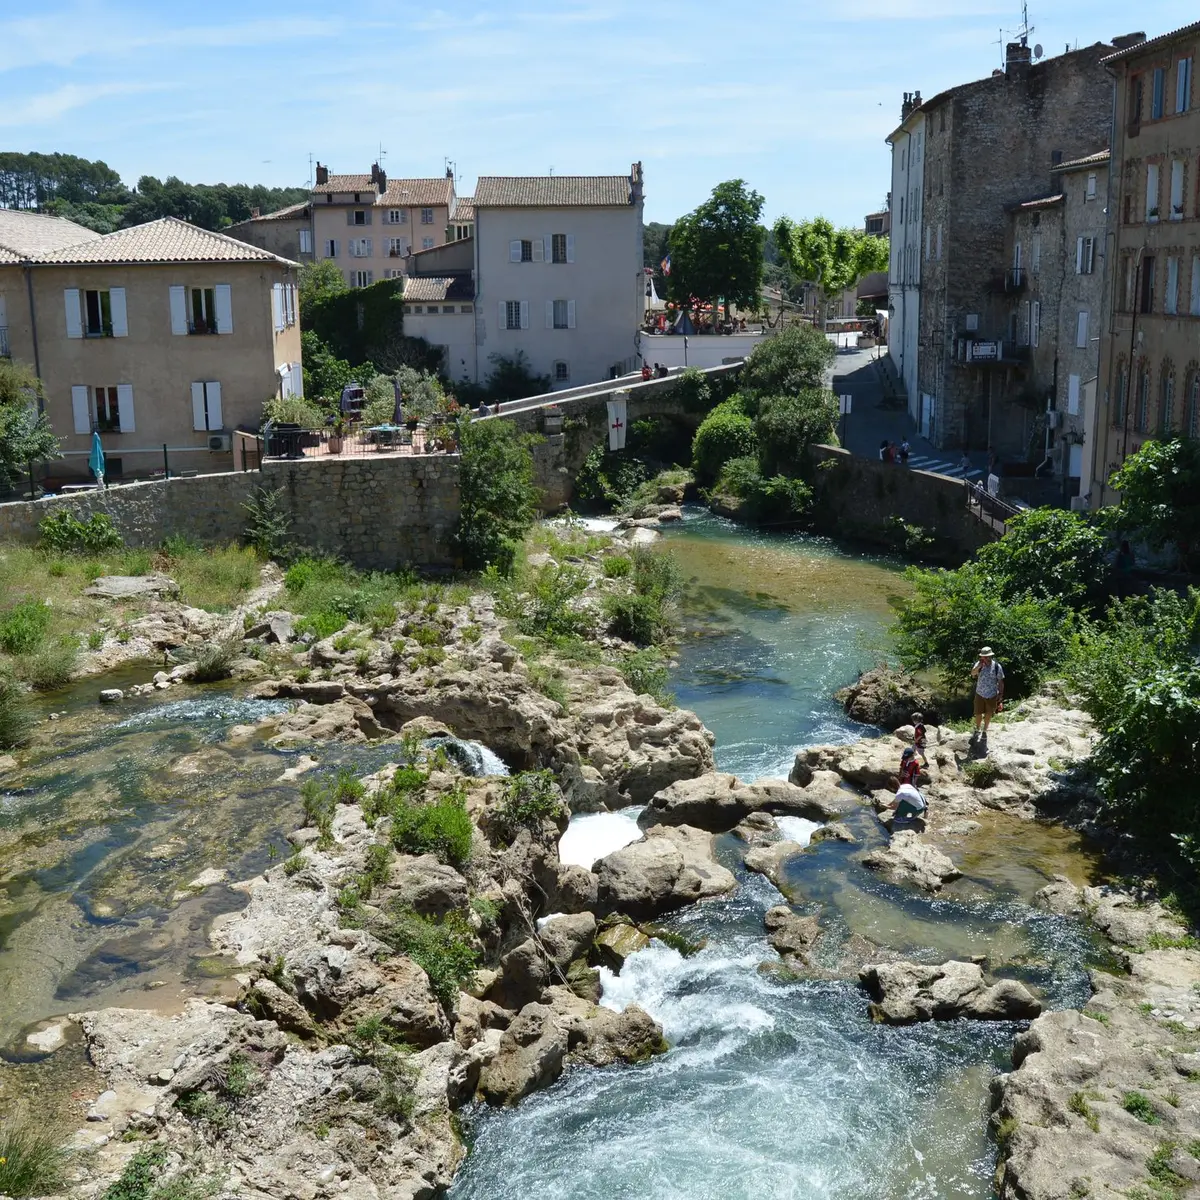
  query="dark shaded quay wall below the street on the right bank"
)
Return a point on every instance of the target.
[{"x": 860, "y": 499}]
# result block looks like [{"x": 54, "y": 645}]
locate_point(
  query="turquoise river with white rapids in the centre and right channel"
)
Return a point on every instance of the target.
[{"x": 776, "y": 1088}]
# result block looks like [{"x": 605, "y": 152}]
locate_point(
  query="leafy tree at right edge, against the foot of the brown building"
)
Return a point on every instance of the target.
[{"x": 1160, "y": 490}]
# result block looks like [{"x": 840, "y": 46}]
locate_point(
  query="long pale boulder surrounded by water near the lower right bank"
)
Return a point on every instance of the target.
[{"x": 905, "y": 993}]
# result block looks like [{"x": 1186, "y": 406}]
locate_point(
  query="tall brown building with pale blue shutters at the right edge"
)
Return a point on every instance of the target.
[{"x": 1150, "y": 347}]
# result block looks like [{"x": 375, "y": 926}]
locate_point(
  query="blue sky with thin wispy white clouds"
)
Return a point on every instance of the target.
[{"x": 796, "y": 98}]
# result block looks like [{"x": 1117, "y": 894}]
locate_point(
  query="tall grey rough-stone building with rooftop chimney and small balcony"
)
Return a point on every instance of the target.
[{"x": 991, "y": 146}]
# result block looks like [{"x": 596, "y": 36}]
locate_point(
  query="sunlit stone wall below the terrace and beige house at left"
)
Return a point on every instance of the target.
[{"x": 379, "y": 513}]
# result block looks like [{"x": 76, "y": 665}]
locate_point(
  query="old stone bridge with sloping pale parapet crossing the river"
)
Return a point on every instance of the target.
[{"x": 560, "y": 458}]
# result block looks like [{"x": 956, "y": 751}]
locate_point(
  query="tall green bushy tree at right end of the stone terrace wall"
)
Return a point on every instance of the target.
[{"x": 499, "y": 500}]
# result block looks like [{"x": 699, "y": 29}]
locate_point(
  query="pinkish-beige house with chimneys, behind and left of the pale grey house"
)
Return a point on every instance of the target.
[{"x": 369, "y": 225}]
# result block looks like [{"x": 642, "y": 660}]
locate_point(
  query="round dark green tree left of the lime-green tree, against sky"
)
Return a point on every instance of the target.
[{"x": 717, "y": 250}]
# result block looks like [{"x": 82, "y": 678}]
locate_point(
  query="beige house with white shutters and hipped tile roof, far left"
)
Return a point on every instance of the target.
[{"x": 161, "y": 335}]
